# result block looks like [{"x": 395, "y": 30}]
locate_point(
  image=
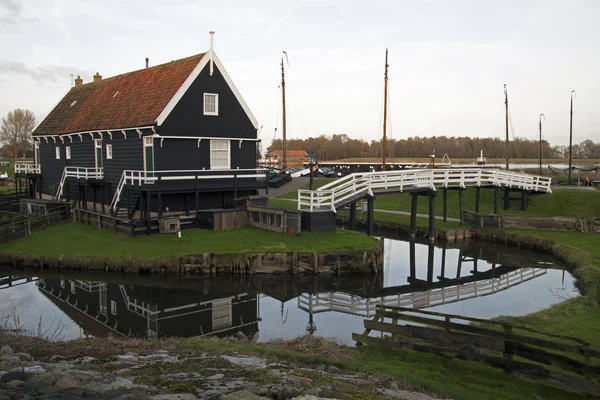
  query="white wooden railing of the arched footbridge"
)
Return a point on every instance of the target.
[{"x": 345, "y": 189}]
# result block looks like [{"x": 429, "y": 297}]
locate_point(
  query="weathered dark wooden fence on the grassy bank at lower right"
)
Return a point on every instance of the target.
[{"x": 499, "y": 344}]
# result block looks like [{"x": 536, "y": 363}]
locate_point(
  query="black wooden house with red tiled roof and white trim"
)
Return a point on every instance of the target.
[{"x": 168, "y": 138}]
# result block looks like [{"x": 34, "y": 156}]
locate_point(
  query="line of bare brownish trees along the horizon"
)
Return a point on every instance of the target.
[{"x": 339, "y": 146}]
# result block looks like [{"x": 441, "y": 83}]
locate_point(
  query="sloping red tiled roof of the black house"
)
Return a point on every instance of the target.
[{"x": 129, "y": 100}]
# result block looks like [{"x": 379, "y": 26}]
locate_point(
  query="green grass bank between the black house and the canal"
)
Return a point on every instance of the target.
[{"x": 71, "y": 239}]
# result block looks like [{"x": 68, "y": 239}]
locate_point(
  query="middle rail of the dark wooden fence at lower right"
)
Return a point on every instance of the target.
[{"x": 487, "y": 343}]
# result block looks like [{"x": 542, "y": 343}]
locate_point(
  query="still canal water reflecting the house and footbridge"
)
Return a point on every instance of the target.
[{"x": 480, "y": 280}]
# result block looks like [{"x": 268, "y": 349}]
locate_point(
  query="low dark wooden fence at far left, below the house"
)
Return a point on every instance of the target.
[{"x": 20, "y": 226}]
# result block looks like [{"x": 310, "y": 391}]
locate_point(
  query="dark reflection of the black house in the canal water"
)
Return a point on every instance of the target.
[{"x": 135, "y": 310}]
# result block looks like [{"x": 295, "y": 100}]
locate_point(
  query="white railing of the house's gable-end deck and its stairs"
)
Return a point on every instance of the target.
[{"x": 135, "y": 177}]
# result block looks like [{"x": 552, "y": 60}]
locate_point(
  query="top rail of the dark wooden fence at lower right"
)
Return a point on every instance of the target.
[{"x": 490, "y": 332}]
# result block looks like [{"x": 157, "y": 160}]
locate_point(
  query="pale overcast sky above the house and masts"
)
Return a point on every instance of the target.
[{"x": 448, "y": 59}]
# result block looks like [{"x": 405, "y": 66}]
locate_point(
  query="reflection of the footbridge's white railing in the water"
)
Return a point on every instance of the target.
[{"x": 366, "y": 307}]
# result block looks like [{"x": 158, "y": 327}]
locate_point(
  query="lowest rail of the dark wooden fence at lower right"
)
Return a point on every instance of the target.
[{"x": 568, "y": 382}]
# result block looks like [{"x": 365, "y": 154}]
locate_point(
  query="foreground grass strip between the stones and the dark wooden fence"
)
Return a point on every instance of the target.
[{"x": 459, "y": 379}]
